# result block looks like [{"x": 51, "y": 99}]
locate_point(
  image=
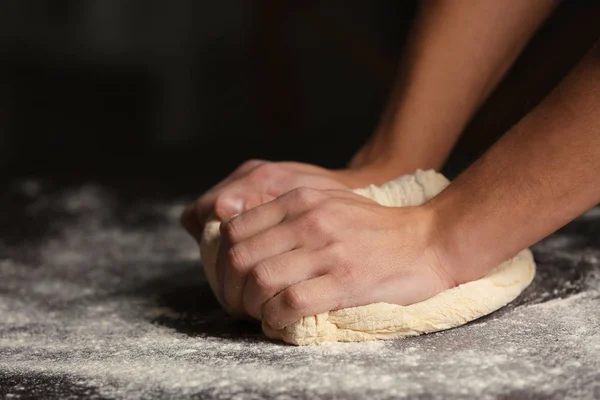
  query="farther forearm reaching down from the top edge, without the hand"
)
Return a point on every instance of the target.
[{"x": 457, "y": 52}]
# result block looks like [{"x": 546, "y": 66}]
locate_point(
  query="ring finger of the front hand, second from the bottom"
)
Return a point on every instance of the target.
[{"x": 271, "y": 276}]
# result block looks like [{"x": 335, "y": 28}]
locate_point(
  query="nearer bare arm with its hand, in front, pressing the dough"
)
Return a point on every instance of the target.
[{"x": 311, "y": 251}]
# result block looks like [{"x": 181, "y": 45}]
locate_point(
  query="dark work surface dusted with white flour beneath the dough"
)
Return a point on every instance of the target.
[{"x": 102, "y": 296}]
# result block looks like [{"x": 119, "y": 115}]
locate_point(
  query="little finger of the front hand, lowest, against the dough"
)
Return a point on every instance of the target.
[{"x": 303, "y": 299}]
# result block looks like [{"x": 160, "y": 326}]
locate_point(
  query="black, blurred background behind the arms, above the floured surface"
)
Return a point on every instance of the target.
[{"x": 183, "y": 91}]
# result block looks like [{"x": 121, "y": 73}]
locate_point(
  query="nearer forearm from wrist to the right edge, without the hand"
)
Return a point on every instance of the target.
[{"x": 539, "y": 176}]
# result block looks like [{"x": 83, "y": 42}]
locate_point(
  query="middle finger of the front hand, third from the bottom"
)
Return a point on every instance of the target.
[{"x": 242, "y": 257}]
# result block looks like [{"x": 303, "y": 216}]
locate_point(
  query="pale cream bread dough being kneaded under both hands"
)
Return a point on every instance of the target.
[{"x": 449, "y": 309}]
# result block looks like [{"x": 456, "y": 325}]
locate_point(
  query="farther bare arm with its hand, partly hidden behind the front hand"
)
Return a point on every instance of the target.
[{"x": 458, "y": 51}]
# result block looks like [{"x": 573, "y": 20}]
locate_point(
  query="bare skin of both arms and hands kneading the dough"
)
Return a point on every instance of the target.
[{"x": 302, "y": 244}]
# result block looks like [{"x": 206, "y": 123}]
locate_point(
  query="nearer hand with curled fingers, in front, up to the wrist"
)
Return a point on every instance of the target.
[{"x": 311, "y": 251}]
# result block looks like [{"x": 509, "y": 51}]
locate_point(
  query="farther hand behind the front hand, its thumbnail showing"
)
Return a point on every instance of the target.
[{"x": 256, "y": 182}]
